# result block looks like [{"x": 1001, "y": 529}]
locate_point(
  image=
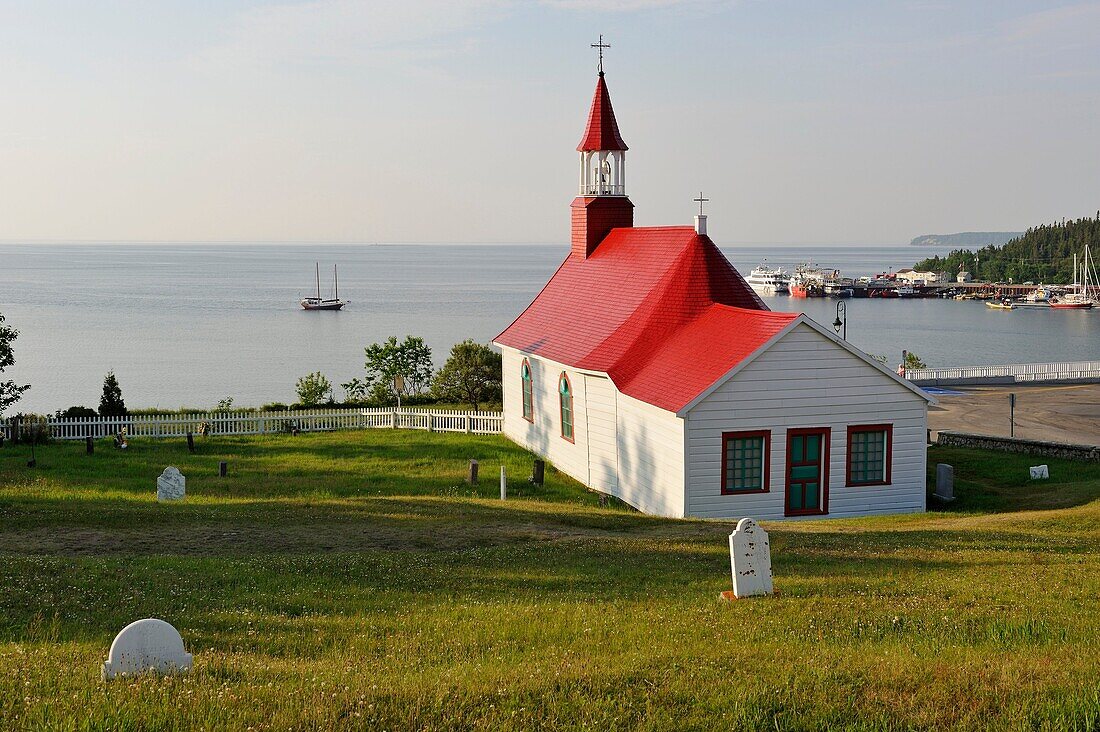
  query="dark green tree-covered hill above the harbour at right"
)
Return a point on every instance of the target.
[{"x": 1044, "y": 254}]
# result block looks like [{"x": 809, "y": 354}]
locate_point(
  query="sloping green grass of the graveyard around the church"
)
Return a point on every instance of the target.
[{"x": 353, "y": 581}]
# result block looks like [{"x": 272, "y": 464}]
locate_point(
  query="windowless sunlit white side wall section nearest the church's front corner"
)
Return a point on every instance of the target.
[{"x": 651, "y": 458}]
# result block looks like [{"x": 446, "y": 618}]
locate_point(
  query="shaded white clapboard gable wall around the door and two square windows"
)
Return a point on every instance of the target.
[{"x": 805, "y": 380}]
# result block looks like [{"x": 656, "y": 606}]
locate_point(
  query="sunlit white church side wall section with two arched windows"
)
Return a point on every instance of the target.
[{"x": 543, "y": 436}]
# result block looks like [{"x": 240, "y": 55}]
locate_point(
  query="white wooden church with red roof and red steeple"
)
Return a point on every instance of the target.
[{"x": 650, "y": 370}]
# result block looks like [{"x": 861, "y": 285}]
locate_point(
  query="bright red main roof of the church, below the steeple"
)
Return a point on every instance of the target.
[{"x": 659, "y": 310}]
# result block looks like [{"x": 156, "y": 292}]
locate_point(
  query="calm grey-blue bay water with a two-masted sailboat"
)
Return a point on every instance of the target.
[{"x": 188, "y": 325}]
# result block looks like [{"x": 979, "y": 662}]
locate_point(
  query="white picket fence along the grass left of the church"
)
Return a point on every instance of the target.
[{"x": 260, "y": 423}]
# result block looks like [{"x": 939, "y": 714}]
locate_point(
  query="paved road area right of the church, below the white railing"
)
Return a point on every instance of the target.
[{"x": 1061, "y": 414}]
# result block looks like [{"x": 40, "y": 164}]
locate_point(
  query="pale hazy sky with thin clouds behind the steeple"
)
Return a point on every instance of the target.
[{"x": 839, "y": 122}]
